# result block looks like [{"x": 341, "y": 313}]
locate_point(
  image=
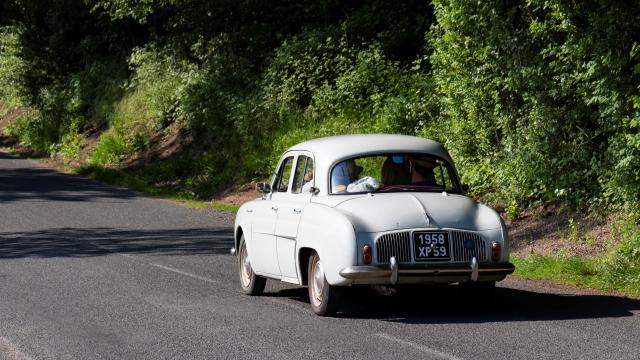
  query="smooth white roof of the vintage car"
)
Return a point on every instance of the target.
[{"x": 334, "y": 148}]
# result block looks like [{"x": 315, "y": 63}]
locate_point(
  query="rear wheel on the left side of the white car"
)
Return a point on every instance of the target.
[{"x": 323, "y": 297}]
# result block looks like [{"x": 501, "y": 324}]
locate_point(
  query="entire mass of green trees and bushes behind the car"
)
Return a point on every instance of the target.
[{"x": 537, "y": 100}]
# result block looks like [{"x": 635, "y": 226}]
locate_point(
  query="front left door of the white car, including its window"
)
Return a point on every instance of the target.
[{"x": 263, "y": 253}]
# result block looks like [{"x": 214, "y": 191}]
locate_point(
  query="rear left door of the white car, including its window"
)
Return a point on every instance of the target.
[{"x": 290, "y": 206}]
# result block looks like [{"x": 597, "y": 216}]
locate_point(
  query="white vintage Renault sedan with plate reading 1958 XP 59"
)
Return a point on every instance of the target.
[{"x": 367, "y": 209}]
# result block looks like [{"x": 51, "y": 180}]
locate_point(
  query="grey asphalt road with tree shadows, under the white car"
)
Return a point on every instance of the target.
[{"x": 89, "y": 271}]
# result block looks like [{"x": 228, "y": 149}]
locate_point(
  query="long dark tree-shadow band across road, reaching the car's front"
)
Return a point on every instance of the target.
[{"x": 70, "y": 242}]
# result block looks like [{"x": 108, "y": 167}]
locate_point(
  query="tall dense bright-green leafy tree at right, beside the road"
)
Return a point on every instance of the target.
[{"x": 536, "y": 96}]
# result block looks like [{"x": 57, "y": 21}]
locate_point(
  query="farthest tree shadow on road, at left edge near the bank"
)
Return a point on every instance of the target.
[{"x": 39, "y": 184}]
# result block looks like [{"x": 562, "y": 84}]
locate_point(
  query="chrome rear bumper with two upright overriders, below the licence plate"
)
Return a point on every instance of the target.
[{"x": 408, "y": 273}]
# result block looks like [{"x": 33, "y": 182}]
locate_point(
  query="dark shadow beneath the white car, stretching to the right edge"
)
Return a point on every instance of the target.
[{"x": 449, "y": 305}]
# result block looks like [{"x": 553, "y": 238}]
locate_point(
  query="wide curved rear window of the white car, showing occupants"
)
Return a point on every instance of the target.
[{"x": 393, "y": 172}]
